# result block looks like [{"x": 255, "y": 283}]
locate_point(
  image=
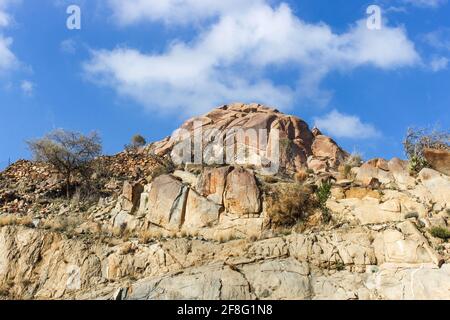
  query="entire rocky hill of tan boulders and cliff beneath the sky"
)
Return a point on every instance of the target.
[{"x": 151, "y": 225}]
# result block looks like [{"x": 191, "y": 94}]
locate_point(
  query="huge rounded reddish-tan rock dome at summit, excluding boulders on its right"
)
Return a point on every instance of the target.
[{"x": 219, "y": 136}]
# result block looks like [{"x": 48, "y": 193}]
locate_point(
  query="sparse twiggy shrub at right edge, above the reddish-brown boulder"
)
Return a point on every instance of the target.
[{"x": 417, "y": 139}]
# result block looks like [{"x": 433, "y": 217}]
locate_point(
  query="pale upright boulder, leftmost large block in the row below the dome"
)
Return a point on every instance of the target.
[{"x": 167, "y": 201}]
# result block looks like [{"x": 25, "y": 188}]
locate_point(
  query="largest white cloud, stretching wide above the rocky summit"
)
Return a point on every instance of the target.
[{"x": 231, "y": 58}]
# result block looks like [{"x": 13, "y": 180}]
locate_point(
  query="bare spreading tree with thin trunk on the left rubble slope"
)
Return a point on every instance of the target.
[{"x": 69, "y": 152}]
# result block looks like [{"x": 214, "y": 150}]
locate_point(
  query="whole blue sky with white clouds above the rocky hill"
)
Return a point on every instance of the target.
[{"x": 145, "y": 66}]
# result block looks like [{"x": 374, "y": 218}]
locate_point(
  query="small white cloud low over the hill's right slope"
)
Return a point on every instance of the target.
[{"x": 346, "y": 126}]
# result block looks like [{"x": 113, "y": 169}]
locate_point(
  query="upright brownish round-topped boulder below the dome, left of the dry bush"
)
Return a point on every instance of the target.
[{"x": 242, "y": 195}]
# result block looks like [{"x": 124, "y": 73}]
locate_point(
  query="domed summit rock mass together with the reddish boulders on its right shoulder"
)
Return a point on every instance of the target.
[{"x": 254, "y": 134}]
